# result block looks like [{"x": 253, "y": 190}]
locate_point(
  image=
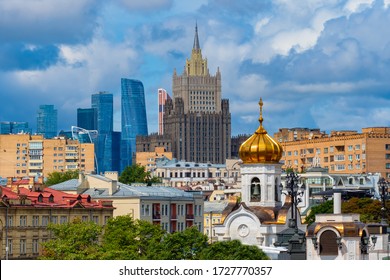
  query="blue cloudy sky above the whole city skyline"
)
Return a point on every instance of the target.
[{"x": 315, "y": 63}]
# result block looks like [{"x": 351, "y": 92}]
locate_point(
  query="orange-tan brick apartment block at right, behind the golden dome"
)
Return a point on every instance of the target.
[{"x": 342, "y": 152}]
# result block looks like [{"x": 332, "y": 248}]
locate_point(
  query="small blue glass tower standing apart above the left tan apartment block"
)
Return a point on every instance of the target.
[{"x": 47, "y": 121}]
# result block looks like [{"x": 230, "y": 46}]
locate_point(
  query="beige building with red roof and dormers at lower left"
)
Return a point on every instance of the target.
[{"x": 26, "y": 210}]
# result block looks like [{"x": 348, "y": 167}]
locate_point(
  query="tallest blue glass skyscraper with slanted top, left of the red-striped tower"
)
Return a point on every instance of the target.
[{"x": 134, "y": 121}]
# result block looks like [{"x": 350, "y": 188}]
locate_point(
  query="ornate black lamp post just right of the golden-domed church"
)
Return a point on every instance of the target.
[{"x": 295, "y": 191}]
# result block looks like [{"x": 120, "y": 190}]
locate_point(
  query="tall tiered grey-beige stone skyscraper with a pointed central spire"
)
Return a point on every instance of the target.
[{"x": 197, "y": 119}]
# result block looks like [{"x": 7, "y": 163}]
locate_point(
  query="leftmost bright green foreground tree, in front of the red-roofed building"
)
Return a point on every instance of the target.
[{"x": 73, "y": 241}]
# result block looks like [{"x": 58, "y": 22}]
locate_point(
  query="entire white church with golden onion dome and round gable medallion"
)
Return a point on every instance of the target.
[{"x": 264, "y": 212}]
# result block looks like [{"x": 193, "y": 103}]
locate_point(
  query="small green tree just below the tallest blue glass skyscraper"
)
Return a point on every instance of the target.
[{"x": 137, "y": 173}]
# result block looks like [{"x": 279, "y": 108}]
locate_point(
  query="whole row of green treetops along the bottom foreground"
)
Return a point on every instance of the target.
[{"x": 126, "y": 239}]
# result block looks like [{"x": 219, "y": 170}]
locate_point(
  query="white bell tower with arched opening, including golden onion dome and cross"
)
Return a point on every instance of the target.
[{"x": 261, "y": 170}]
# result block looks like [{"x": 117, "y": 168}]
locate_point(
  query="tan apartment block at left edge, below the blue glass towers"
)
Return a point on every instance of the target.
[{"x": 31, "y": 155}]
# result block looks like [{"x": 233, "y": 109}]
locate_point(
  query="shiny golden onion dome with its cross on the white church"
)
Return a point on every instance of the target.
[{"x": 260, "y": 147}]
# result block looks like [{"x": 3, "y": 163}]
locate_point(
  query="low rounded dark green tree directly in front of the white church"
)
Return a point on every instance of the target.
[{"x": 232, "y": 250}]
